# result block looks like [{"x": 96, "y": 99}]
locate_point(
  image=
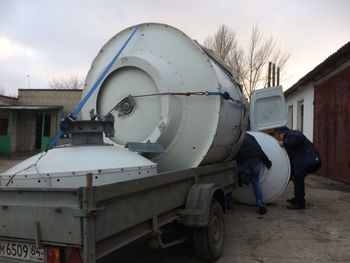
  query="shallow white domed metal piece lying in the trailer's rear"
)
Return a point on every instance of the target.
[{"x": 67, "y": 166}]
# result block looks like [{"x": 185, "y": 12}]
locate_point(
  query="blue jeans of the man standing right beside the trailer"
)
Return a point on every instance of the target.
[{"x": 252, "y": 166}]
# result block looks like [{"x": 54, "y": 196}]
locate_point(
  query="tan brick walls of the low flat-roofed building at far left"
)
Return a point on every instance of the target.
[{"x": 23, "y": 131}]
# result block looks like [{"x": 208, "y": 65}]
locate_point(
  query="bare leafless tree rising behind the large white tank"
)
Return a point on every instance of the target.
[{"x": 248, "y": 65}]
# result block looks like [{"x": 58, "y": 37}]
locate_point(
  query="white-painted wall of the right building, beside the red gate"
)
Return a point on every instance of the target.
[{"x": 305, "y": 93}]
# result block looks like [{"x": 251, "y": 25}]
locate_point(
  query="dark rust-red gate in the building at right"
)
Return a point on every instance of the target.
[{"x": 332, "y": 124}]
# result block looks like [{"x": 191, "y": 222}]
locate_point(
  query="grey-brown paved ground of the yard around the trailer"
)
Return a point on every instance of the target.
[{"x": 321, "y": 233}]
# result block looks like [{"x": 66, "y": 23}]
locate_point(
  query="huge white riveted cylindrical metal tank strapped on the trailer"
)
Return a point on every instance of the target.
[{"x": 198, "y": 129}]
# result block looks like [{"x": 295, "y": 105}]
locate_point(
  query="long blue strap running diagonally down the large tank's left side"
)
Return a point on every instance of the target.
[{"x": 73, "y": 116}]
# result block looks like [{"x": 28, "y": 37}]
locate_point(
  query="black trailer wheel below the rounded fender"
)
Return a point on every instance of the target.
[{"x": 209, "y": 241}]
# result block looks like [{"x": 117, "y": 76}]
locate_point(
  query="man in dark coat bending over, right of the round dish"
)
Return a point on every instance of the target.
[{"x": 304, "y": 159}]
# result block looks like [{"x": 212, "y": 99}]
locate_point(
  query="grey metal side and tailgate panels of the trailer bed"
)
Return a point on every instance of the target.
[{"x": 101, "y": 219}]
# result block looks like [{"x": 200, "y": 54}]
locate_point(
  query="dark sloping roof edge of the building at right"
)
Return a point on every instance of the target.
[{"x": 329, "y": 64}]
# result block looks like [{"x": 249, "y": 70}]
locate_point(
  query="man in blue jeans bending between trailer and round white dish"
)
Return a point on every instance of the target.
[{"x": 249, "y": 158}]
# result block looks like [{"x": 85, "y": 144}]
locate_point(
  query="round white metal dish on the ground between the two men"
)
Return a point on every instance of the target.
[{"x": 274, "y": 180}]
